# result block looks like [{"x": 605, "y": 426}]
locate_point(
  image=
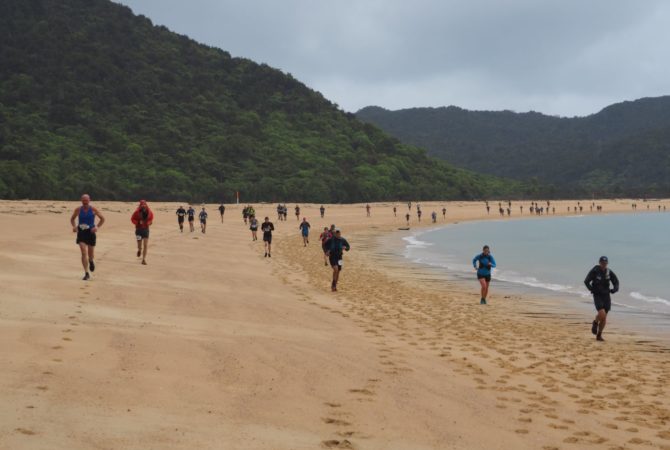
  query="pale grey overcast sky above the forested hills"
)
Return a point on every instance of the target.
[{"x": 562, "y": 57}]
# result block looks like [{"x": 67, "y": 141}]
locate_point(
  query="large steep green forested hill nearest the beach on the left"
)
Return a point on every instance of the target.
[{"x": 95, "y": 99}]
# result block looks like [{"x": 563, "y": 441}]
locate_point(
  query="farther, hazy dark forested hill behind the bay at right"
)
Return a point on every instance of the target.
[{"x": 622, "y": 150}]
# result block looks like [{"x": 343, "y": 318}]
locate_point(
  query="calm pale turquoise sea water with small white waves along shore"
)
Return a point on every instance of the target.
[{"x": 553, "y": 255}]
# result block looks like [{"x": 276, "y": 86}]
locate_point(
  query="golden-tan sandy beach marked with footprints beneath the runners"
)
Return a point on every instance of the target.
[{"x": 212, "y": 346}]
